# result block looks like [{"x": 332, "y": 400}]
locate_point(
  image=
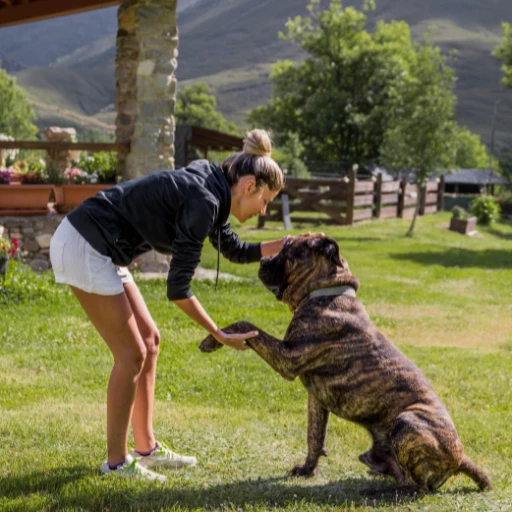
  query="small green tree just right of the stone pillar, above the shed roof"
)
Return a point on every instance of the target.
[{"x": 196, "y": 105}]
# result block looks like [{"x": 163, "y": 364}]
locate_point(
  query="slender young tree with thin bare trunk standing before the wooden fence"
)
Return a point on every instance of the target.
[{"x": 423, "y": 131}]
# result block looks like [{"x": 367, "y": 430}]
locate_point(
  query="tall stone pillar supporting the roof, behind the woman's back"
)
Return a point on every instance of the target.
[{"x": 147, "y": 51}]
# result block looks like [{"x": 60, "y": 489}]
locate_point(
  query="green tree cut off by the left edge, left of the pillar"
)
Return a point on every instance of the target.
[{"x": 16, "y": 113}]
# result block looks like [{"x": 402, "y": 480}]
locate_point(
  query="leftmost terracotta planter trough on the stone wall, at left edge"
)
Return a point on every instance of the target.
[{"x": 18, "y": 199}]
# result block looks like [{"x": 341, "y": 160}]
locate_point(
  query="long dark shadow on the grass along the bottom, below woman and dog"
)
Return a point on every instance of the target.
[{"x": 76, "y": 487}]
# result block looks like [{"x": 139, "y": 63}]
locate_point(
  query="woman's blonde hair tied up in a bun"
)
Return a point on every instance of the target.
[{"x": 255, "y": 160}]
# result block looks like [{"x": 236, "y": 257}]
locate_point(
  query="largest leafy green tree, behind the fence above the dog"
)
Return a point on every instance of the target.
[{"x": 338, "y": 100}]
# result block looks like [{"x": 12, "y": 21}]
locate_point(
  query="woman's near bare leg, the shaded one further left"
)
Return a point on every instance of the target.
[{"x": 115, "y": 321}]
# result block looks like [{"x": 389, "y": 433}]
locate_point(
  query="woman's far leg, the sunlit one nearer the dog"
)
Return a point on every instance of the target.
[{"x": 142, "y": 418}]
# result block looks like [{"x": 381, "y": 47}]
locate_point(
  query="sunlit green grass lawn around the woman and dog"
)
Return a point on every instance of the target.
[{"x": 444, "y": 299}]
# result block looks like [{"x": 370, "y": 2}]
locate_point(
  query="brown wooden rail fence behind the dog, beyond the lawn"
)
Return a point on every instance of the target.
[{"x": 344, "y": 201}]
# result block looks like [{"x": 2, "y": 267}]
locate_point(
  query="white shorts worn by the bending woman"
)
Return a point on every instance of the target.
[{"x": 77, "y": 263}]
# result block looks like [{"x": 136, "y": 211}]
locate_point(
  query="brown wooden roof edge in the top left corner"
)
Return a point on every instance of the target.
[{"x": 38, "y": 10}]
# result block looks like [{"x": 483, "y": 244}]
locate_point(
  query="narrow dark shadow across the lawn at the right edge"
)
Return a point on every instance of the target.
[{"x": 462, "y": 258}]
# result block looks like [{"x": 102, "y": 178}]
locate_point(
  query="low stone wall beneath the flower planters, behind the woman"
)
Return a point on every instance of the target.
[{"x": 34, "y": 234}]
